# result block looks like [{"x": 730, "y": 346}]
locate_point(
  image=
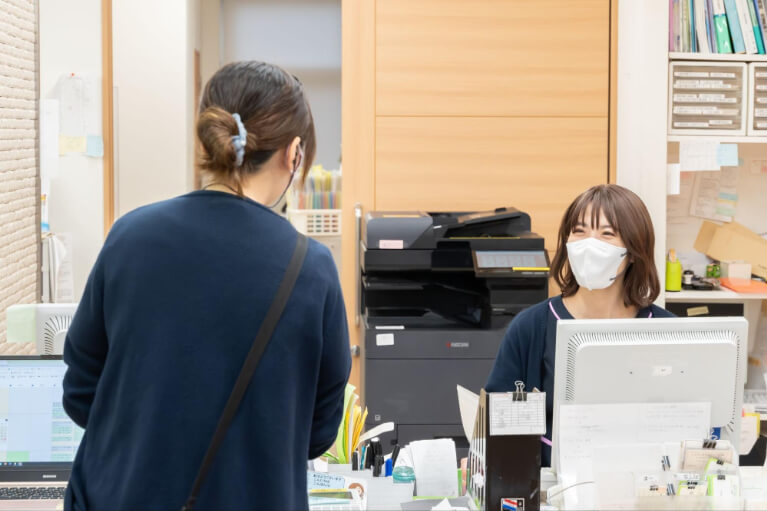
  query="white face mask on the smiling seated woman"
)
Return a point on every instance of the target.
[{"x": 594, "y": 262}]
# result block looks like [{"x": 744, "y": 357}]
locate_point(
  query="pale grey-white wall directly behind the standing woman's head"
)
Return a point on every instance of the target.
[{"x": 302, "y": 36}]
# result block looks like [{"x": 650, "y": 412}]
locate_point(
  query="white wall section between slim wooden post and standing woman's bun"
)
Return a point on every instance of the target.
[{"x": 154, "y": 101}]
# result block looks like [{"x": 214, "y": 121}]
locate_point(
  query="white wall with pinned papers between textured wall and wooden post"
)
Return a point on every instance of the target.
[{"x": 70, "y": 41}]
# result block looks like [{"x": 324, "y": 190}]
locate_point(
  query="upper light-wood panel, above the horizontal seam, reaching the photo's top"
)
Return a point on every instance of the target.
[{"x": 492, "y": 57}]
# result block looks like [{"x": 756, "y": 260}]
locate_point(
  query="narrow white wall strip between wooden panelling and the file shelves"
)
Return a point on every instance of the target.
[{"x": 642, "y": 87}]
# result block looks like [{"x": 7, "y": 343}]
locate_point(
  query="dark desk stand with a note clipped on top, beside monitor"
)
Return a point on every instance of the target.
[{"x": 505, "y": 450}]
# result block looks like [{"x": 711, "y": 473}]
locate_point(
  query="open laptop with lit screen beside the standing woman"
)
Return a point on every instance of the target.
[{"x": 38, "y": 441}]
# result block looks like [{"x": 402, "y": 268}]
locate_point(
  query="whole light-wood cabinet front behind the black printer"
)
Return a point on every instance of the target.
[{"x": 464, "y": 105}]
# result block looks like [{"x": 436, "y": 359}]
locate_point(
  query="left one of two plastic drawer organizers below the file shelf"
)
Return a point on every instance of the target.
[{"x": 708, "y": 98}]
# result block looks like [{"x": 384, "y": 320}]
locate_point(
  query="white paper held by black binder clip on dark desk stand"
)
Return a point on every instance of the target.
[{"x": 510, "y": 417}]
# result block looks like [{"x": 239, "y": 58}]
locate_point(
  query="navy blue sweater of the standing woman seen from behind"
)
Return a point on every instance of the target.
[{"x": 169, "y": 313}]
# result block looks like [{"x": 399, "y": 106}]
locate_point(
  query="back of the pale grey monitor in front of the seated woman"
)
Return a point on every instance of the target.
[{"x": 663, "y": 360}]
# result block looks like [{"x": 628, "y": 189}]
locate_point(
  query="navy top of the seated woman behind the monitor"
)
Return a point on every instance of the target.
[{"x": 528, "y": 352}]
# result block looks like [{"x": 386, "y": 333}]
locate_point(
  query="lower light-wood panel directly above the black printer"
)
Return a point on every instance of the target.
[{"x": 457, "y": 163}]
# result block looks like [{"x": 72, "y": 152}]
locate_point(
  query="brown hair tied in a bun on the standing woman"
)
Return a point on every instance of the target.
[{"x": 273, "y": 108}]
